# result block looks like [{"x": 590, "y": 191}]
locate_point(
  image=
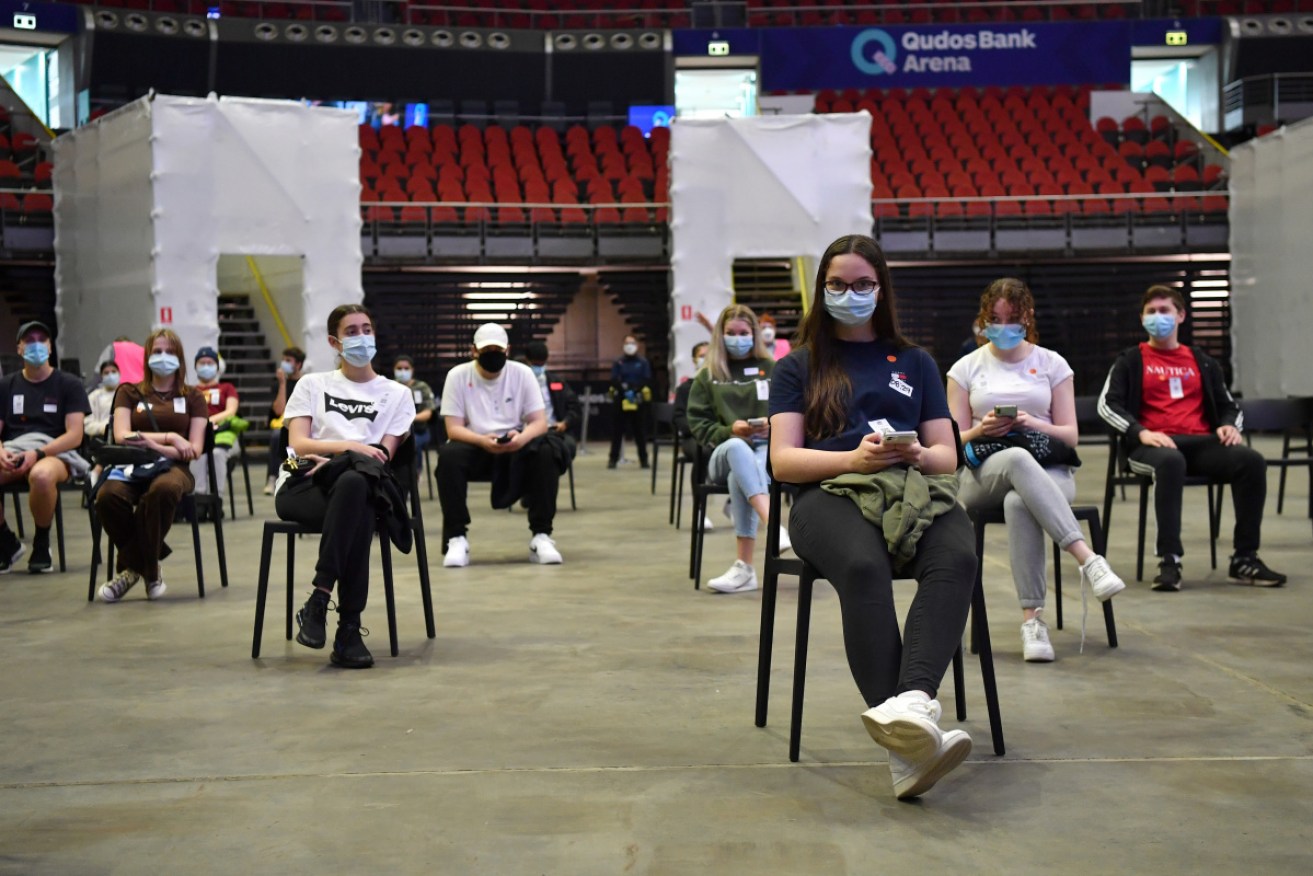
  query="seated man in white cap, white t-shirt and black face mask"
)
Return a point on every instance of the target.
[{"x": 496, "y": 426}]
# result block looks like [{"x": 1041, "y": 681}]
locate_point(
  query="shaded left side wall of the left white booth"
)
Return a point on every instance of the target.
[{"x": 104, "y": 233}]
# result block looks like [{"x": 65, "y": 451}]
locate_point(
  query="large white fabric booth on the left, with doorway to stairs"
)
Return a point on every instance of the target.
[{"x": 148, "y": 200}]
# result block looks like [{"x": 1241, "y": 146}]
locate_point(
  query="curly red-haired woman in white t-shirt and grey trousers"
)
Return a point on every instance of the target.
[{"x": 1013, "y": 370}]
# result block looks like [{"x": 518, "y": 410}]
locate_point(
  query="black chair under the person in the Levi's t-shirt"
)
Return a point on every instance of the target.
[{"x": 404, "y": 463}]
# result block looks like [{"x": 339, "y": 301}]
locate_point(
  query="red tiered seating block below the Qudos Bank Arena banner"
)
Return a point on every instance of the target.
[{"x": 1021, "y": 144}]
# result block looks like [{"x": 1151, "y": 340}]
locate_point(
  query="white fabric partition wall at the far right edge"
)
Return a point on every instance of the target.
[{"x": 1272, "y": 211}]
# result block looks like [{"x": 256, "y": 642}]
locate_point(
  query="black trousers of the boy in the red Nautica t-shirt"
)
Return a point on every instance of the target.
[{"x": 1239, "y": 466}]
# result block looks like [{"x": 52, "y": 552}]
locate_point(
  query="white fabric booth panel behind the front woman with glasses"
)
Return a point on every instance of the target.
[{"x": 764, "y": 187}]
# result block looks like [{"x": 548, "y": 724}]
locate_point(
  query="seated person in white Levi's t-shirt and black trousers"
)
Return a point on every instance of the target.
[{"x": 350, "y": 410}]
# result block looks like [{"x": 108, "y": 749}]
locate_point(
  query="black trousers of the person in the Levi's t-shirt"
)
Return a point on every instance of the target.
[{"x": 346, "y": 518}]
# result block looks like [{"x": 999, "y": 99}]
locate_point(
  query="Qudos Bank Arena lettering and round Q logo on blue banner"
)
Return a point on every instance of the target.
[{"x": 876, "y": 53}]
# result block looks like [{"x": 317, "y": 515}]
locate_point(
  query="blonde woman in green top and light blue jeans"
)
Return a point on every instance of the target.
[{"x": 728, "y": 412}]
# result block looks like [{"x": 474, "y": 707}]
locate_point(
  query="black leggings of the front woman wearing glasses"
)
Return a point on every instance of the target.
[{"x": 851, "y": 554}]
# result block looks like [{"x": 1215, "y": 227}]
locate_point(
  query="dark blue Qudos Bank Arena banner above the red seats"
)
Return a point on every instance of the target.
[{"x": 946, "y": 56}]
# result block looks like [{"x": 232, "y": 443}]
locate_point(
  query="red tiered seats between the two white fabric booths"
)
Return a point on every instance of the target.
[{"x": 514, "y": 177}]
